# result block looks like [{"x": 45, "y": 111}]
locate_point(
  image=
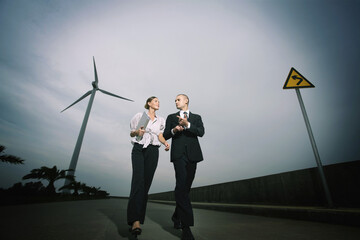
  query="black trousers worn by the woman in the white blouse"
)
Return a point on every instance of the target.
[{"x": 144, "y": 163}]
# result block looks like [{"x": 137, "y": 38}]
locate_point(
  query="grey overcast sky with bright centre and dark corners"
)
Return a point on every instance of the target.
[{"x": 231, "y": 58}]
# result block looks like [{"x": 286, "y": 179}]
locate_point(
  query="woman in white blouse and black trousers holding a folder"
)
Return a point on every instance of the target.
[{"x": 144, "y": 157}]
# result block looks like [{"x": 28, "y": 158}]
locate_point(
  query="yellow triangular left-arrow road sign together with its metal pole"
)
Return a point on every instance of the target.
[{"x": 295, "y": 80}]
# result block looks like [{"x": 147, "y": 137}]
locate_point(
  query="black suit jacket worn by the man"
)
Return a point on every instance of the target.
[{"x": 185, "y": 142}]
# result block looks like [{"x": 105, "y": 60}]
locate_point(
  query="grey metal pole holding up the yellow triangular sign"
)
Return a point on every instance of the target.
[{"x": 316, "y": 153}]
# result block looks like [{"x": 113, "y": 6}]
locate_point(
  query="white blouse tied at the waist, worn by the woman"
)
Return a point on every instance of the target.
[{"x": 152, "y": 131}]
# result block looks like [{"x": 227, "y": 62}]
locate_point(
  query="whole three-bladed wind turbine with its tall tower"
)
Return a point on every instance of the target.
[{"x": 76, "y": 153}]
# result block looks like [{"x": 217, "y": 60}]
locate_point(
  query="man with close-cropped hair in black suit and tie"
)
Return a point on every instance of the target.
[{"x": 184, "y": 127}]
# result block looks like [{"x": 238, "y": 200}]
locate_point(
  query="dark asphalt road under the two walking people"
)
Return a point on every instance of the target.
[{"x": 106, "y": 219}]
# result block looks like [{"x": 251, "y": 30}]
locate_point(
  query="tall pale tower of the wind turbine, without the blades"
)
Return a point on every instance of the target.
[{"x": 76, "y": 153}]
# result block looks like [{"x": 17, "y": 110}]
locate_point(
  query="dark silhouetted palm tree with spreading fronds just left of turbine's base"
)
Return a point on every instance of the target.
[{"x": 50, "y": 174}]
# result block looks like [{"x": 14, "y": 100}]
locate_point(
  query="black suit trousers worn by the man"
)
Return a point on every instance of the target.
[{"x": 184, "y": 174}]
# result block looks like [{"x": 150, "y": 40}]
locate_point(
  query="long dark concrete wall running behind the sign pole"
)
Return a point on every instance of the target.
[{"x": 302, "y": 187}]
